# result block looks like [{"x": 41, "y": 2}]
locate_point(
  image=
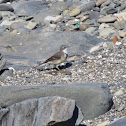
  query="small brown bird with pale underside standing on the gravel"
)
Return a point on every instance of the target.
[{"x": 58, "y": 57}]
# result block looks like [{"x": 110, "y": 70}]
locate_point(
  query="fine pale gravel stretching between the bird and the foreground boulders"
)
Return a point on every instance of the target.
[{"x": 107, "y": 65}]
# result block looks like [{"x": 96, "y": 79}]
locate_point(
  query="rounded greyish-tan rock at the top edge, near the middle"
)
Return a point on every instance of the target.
[{"x": 61, "y": 5}]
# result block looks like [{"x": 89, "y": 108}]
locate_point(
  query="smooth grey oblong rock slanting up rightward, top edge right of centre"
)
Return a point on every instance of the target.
[{"x": 86, "y": 6}]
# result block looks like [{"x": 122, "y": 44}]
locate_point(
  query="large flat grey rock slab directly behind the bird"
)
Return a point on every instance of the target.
[{"x": 36, "y": 46}]
